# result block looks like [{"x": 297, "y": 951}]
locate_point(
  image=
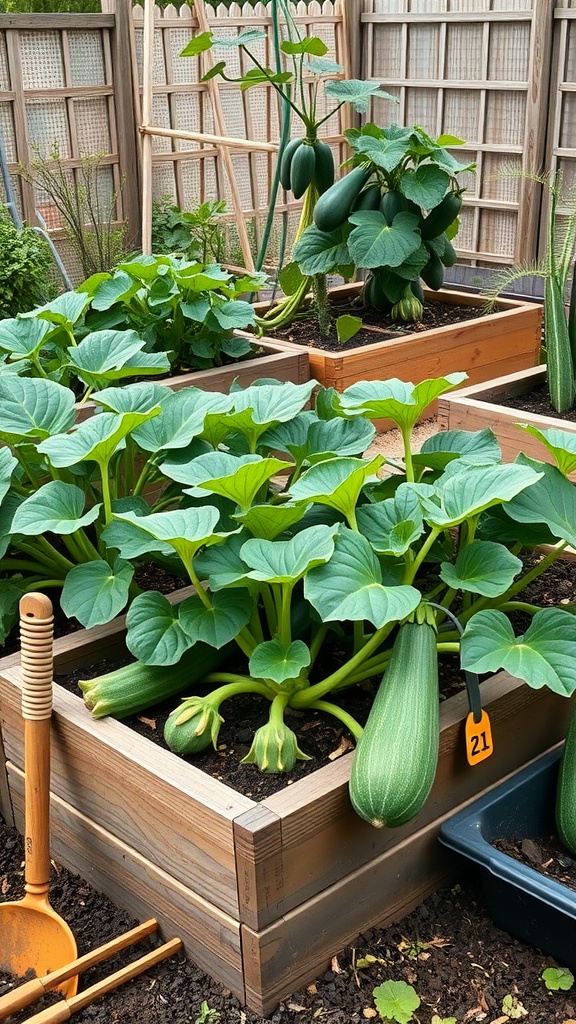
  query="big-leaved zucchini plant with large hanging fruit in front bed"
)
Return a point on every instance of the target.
[{"x": 290, "y": 535}]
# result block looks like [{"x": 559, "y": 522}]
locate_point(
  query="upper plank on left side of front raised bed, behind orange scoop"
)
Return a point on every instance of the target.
[{"x": 189, "y": 833}]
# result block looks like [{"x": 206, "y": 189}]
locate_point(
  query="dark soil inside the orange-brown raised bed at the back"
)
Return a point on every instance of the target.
[{"x": 304, "y": 329}]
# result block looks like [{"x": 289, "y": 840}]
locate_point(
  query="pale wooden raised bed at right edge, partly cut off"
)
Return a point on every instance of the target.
[{"x": 477, "y": 407}]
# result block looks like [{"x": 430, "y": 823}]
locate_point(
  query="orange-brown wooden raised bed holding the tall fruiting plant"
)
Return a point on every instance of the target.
[{"x": 499, "y": 344}]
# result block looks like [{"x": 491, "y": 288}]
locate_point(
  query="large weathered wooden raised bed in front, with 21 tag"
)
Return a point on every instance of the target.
[{"x": 263, "y": 894}]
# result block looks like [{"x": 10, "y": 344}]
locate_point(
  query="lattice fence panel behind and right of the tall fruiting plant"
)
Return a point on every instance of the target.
[{"x": 464, "y": 68}]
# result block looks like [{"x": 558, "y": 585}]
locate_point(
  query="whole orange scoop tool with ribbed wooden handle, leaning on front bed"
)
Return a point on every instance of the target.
[{"x": 33, "y": 936}]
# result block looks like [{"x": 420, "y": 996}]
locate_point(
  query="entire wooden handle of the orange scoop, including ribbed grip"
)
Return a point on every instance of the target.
[{"x": 36, "y": 624}]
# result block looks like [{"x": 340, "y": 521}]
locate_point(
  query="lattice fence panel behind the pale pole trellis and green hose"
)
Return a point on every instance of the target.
[{"x": 182, "y": 101}]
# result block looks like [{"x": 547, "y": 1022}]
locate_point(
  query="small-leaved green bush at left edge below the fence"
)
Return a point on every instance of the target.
[{"x": 26, "y": 263}]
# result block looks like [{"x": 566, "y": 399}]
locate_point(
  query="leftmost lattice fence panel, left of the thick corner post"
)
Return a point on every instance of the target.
[{"x": 57, "y": 96}]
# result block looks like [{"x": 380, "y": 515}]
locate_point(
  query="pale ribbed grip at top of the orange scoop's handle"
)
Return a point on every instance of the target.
[{"x": 37, "y": 633}]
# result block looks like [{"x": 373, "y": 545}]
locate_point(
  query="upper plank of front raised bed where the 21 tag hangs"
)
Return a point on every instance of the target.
[{"x": 320, "y": 830}]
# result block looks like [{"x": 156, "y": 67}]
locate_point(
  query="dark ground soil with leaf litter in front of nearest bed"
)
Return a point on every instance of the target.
[{"x": 461, "y": 966}]
